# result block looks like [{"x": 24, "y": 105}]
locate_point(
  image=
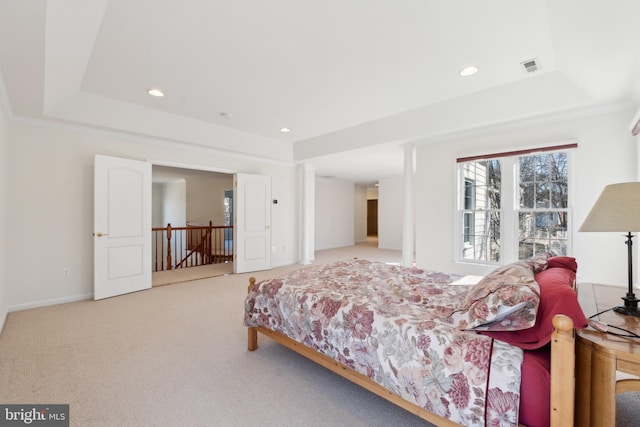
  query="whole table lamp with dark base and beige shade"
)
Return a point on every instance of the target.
[{"x": 618, "y": 209}]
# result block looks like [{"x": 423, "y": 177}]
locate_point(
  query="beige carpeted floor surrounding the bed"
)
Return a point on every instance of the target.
[{"x": 176, "y": 356}]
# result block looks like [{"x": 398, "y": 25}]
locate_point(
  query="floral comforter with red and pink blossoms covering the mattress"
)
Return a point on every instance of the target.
[{"x": 388, "y": 323}]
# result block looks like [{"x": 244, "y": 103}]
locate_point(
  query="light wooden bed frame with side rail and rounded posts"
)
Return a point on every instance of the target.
[{"x": 562, "y": 372}]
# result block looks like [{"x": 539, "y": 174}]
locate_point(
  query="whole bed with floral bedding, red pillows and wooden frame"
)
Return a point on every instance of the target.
[{"x": 451, "y": 352}]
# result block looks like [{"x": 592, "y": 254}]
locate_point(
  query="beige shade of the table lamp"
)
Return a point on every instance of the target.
[{"x": 617, "y": 209}]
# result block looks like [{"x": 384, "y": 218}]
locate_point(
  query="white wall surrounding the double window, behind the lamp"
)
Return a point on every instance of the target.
[{"x": 606, "y": 154}]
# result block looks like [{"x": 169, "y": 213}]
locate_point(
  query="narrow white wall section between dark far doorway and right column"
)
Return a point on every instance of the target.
[{"x": 390, "y": 213}]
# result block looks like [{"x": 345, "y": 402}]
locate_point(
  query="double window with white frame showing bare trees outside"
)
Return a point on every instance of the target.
[{"x": 513, "y": 206}]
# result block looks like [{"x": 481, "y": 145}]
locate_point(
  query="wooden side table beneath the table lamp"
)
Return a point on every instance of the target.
[{"x": 599, "y": 356}]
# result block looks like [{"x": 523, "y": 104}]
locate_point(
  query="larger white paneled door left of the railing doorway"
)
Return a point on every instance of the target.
[{"x": 122, "y": 226}]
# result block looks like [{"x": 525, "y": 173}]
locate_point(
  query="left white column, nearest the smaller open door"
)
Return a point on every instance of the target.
[{"x": 308, "y": 197}]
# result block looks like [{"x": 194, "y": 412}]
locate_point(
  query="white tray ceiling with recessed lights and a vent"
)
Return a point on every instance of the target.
[{"x": 353, "y": 80}]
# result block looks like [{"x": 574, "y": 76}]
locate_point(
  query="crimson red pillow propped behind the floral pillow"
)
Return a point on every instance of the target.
[{"x": 556, "y": 297}]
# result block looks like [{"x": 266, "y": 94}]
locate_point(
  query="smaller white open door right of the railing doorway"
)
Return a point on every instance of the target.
[{"x": 252, "y": 228}]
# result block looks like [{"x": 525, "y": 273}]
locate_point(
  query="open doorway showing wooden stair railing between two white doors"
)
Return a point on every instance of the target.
[{"x": 188, "y": 199}]
